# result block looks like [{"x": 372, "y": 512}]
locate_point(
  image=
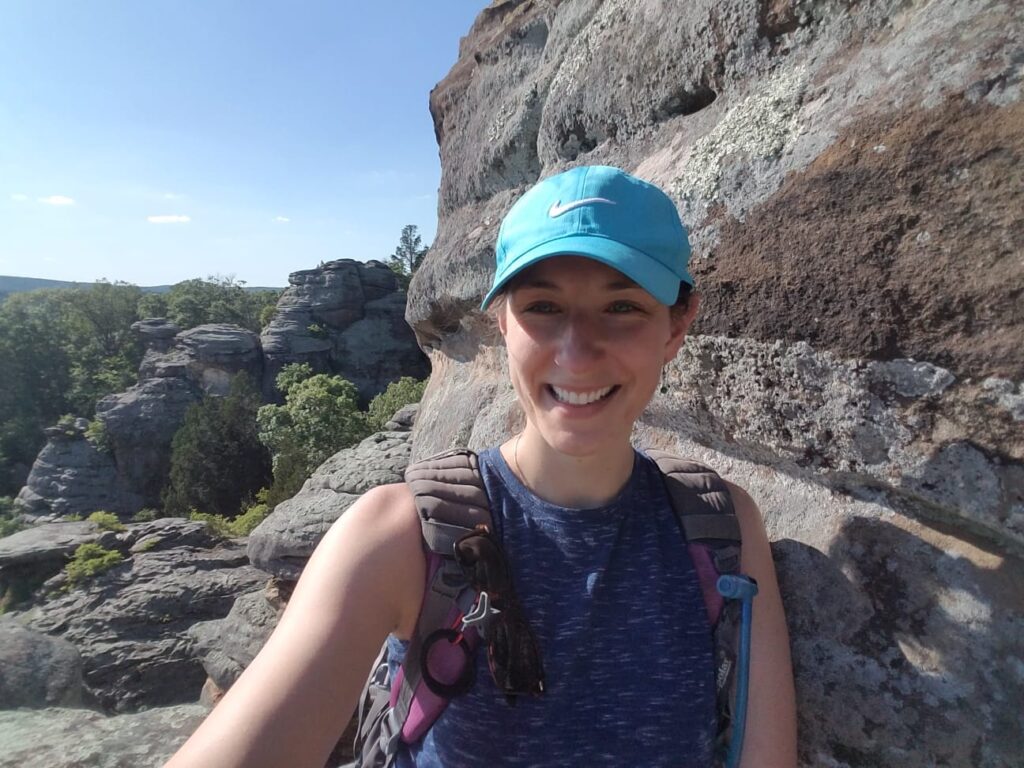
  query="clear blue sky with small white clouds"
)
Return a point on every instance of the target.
[{"x": 154, "y": 142}]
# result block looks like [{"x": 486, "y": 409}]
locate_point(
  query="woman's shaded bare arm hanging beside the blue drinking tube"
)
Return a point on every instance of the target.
[{"x": 772, "y": 721}]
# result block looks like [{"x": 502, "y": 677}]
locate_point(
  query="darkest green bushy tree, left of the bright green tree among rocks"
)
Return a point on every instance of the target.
[{"x": 218, "y": 461}]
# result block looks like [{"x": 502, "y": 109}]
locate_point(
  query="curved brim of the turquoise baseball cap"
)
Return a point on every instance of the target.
[{"x": 652, "y": 276}]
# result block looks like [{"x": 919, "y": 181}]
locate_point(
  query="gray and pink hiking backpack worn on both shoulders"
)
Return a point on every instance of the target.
[{"x": 452, "y": 501}]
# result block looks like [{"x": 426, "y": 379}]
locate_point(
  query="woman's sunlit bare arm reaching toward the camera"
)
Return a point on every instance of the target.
[{"x": 292, "y": 703}]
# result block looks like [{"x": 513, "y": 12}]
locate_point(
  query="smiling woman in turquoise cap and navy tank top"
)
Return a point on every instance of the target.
[{"x": 592, "y": 297}]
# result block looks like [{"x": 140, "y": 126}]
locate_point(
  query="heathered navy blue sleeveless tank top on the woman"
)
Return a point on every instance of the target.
[{"x": 618, "y": 610}]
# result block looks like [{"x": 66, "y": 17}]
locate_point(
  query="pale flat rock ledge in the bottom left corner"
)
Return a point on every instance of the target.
[{"x": 75, "y": 739}]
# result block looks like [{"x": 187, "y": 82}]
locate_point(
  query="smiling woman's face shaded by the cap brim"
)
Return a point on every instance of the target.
[{"x": 586, "y": 347}]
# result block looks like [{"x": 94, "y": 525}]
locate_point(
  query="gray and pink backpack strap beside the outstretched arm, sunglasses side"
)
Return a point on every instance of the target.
[{"x": 451, "y": 501}]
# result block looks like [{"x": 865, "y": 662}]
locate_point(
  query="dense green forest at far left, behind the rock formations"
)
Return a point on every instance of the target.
[{"x": 63, "y": 350}]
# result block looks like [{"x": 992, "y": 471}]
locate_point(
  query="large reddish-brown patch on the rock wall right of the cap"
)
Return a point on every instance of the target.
[{"x": 905, "y": 239}]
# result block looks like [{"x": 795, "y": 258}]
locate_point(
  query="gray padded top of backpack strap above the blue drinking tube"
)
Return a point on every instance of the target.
[{"x": 701, "y": 499}]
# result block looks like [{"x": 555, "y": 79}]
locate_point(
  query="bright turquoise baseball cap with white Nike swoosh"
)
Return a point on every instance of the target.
[{"x": 605, "y": 215}]
